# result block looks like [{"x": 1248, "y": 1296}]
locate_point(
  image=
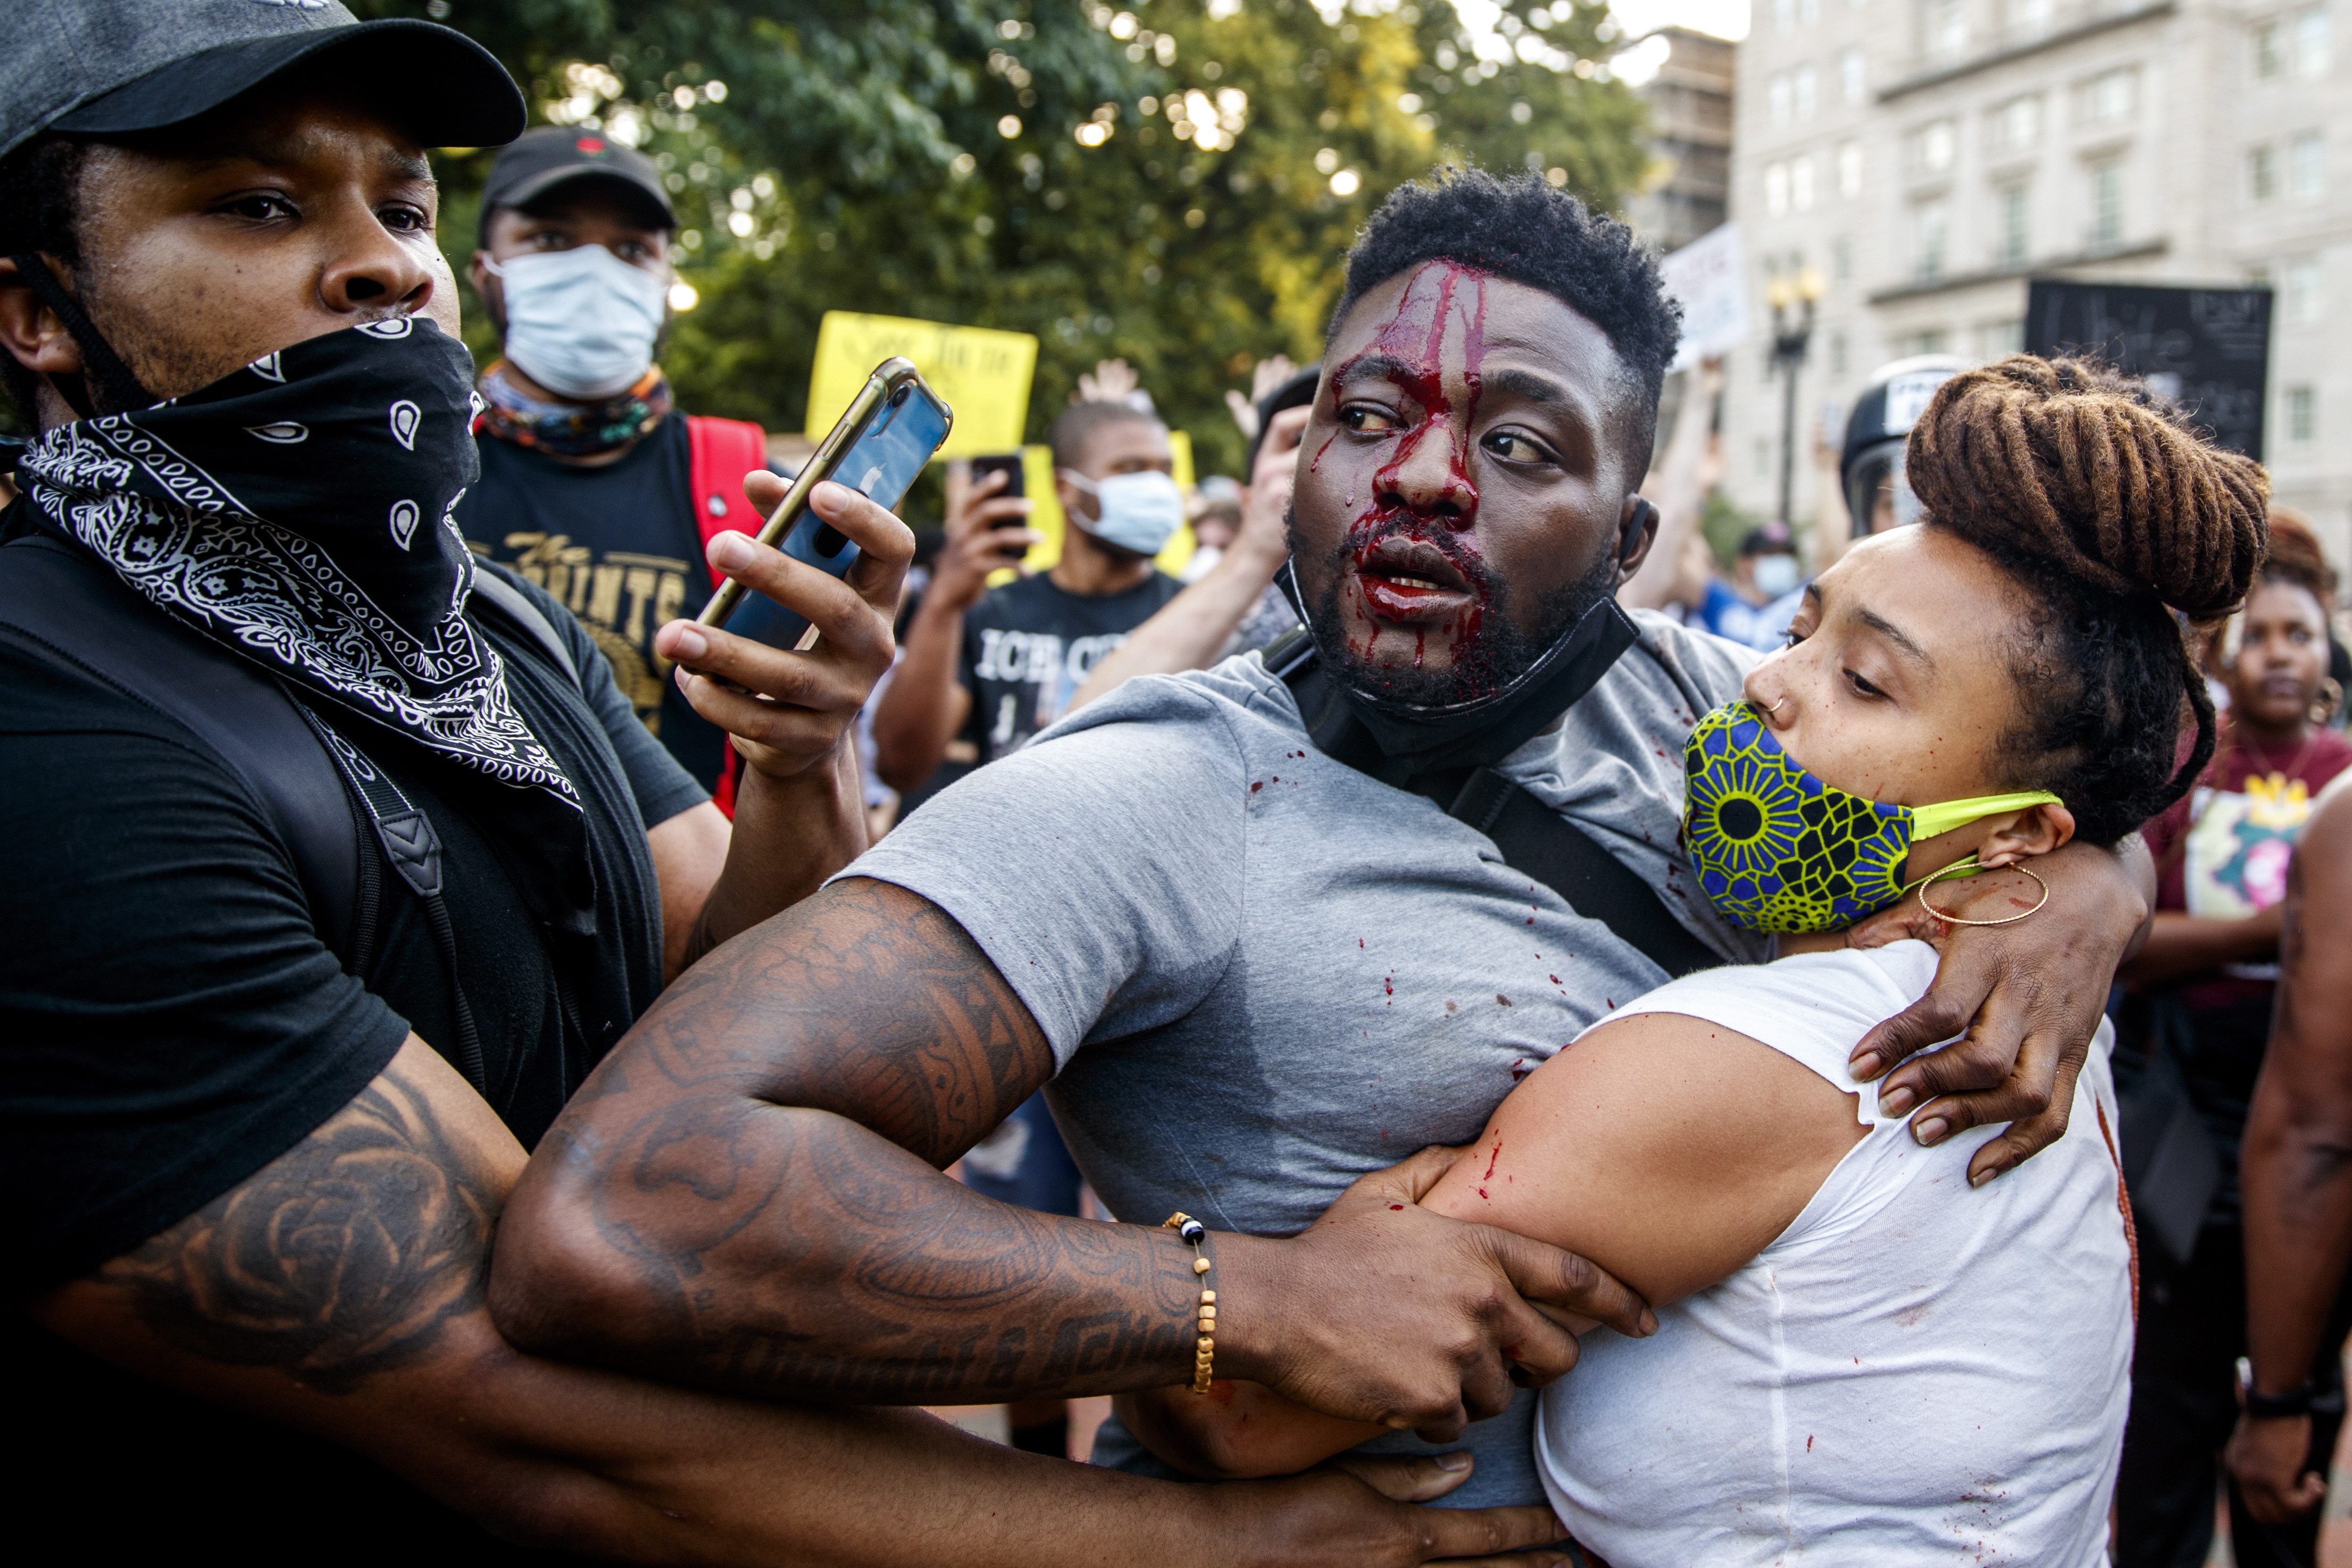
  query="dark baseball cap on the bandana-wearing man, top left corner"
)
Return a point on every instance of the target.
[{"x": 123, "y": 67}]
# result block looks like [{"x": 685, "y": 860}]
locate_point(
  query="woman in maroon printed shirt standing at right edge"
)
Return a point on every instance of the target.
[{"x": 2205, "y": 984}]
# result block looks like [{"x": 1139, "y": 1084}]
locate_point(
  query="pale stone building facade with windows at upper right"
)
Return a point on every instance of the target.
[{"x": 1930, "y": 156}]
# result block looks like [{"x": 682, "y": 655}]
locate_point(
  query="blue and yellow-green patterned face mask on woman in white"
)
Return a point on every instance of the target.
[{"x": 1779, "y": 850}]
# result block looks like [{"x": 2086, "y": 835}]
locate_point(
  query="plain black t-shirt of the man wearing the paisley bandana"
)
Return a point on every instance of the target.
[{"x": 171, "y": 1021}]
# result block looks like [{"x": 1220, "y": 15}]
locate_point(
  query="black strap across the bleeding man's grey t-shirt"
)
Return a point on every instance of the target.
[{"x": 1539, "y": 843}]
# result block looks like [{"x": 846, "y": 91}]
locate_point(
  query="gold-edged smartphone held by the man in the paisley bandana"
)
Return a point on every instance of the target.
[{"x": 878, "y": 448}]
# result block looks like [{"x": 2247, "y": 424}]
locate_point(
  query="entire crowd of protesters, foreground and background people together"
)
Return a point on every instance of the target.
[{"x": 497, "y": 1068}]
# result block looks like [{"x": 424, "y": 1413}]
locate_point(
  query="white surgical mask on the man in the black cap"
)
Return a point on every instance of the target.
[{"x": 582, "y": 323}]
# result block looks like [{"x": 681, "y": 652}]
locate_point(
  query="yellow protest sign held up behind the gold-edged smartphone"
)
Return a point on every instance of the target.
[{"x": 982, "y": 375}]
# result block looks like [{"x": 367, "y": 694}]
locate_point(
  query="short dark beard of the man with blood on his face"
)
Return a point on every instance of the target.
[{"x": 1495, "y": 657}]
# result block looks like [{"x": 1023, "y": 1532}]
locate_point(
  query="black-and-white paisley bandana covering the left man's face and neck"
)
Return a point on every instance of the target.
[{"x": 298, "y": 511}]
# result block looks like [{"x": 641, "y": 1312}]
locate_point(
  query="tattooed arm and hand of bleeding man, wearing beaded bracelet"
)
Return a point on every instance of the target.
[{"x": 747, "y": 1195}]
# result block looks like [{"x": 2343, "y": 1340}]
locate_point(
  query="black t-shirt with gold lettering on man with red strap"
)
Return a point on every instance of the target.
[{"x": 622, "y": 551}]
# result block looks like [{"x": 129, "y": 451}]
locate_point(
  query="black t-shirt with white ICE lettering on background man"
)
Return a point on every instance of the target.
[{"x": 1031, "y": 645}]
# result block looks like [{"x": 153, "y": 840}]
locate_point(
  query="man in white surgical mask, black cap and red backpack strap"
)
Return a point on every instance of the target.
[{"x": 592, "y": 483}]
